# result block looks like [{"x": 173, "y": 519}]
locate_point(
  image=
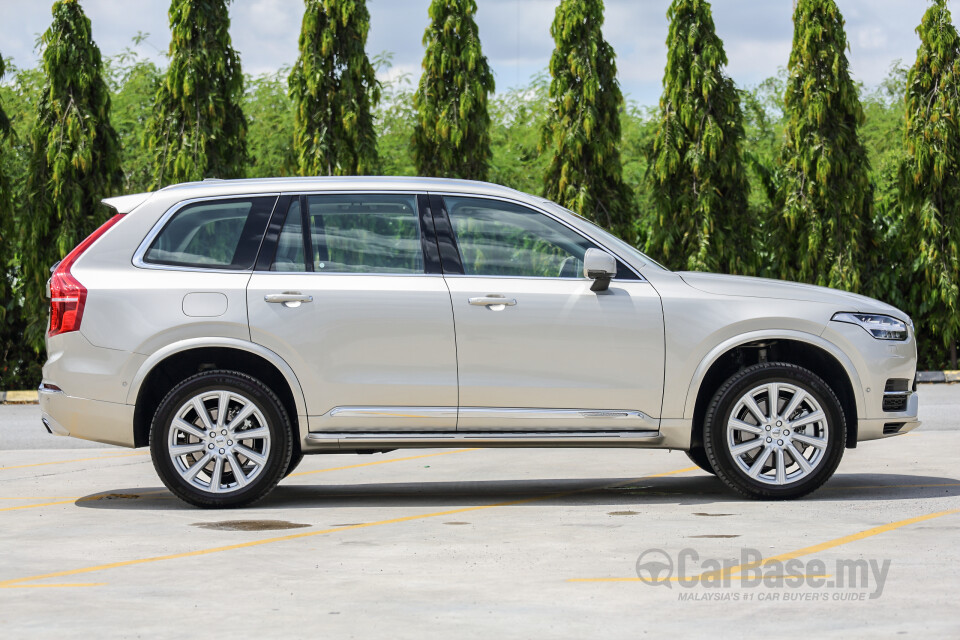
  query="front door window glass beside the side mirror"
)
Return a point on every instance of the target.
[{"x": 498, "y": 238}]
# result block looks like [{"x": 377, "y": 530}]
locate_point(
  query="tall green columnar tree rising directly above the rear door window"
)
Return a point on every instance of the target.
[{"x": 334, "y": 89}]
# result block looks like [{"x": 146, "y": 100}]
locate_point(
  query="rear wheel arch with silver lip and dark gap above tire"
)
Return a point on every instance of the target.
[{"x": 165, "y": 368}]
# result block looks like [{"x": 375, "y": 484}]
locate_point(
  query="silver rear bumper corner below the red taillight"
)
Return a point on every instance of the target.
[{"x": 106, "y": 422}]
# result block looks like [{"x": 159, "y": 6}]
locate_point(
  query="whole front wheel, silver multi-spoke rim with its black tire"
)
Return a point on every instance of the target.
[{"x": 774, "y": 430}]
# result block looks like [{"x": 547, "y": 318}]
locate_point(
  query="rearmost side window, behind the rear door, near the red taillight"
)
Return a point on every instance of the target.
[{"x": 215, "y": 234}]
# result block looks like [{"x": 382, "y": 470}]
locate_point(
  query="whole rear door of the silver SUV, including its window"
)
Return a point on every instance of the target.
[{"x": 349, "y": 291}]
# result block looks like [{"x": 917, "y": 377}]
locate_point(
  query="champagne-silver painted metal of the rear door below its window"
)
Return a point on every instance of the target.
[{"x": 363, "y": 341}]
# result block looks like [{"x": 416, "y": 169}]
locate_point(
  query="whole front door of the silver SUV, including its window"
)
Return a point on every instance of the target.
[{"x": 536, "y": 348}]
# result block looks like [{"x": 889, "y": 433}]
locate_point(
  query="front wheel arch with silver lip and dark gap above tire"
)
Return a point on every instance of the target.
[{"x": 807, "y": 350}]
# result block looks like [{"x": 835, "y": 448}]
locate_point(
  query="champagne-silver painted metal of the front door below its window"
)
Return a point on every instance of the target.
[{"x": 560, "y": 346}]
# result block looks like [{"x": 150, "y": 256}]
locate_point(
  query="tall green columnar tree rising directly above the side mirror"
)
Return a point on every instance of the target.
[{"x": 583, "y": 132}]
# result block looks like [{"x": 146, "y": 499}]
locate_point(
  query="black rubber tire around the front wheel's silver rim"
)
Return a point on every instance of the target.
[{"x": 737, "y": 387}]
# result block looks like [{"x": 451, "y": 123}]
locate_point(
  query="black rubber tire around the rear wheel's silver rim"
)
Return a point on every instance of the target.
[{"x": 270, "y": 472}]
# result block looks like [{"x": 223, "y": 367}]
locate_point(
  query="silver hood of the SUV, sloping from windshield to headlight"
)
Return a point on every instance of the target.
[{"x": 744, "y": 286}]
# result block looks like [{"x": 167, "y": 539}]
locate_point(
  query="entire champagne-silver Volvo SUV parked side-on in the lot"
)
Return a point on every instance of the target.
[{"x": 234, "y": 326}]
